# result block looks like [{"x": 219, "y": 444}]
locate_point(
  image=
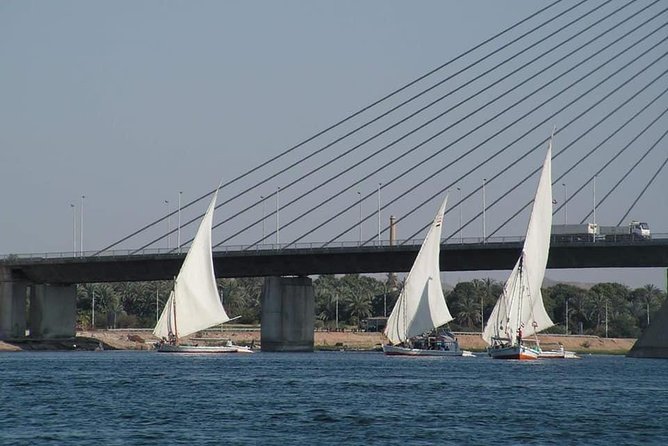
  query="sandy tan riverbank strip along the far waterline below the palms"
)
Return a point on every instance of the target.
[{"x": 135, "y": 339}]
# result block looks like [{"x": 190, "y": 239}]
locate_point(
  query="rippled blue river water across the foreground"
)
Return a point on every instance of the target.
[{"x": 147, "y": 398}]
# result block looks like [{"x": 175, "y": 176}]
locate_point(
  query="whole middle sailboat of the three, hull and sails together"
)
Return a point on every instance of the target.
[{"x": 421, "y": 309}]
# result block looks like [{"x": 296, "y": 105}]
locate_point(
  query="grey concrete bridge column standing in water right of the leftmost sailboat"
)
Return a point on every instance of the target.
[{"x": 288, "y": 314}]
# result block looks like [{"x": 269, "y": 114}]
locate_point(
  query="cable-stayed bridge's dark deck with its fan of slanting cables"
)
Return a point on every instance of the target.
[{"x": 475, "y": 127}]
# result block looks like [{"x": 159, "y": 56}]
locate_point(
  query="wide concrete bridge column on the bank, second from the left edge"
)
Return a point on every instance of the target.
[{"x": 53, "y": 310}]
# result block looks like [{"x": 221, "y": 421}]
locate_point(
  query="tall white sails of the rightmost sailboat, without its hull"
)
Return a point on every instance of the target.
[{"x": 521, "y": 303}]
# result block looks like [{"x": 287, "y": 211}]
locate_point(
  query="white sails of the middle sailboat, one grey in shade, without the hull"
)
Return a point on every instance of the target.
[{"x": 421, "y": 305}]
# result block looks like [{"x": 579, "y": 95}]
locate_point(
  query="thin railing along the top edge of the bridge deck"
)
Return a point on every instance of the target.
[{"x": 301, "y": 246}]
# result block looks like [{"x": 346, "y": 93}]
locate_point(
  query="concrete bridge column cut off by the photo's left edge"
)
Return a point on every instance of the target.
[{"x": 12, "y": 306}]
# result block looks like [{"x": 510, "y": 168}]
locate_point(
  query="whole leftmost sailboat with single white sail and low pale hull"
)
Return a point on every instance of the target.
[{"x": 194, "y": 303}]
